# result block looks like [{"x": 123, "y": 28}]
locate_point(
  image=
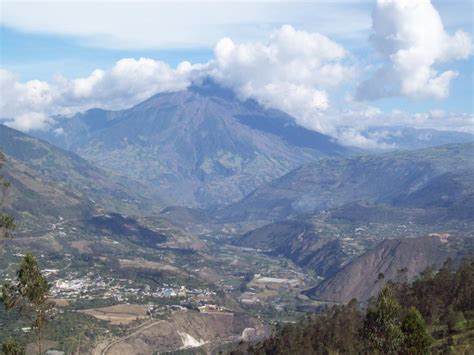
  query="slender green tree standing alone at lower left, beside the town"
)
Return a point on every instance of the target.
[{"x": 30, "y": 292}]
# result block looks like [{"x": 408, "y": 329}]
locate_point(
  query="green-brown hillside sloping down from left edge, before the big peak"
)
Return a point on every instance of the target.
[{"x": 48, "y": 182}]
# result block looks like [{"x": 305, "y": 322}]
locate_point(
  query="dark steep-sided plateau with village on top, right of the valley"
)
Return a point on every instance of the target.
[{"x": 326, "y": 241}]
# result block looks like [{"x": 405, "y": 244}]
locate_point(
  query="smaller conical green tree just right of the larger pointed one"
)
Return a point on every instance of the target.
[{"x": 417, "y": 340}]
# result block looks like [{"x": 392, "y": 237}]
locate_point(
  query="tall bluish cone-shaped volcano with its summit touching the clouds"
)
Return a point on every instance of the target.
[{"x": 200, "y": 147}]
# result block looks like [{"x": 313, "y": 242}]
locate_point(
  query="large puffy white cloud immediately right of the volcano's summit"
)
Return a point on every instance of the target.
[{"x": 292, "y": 72}]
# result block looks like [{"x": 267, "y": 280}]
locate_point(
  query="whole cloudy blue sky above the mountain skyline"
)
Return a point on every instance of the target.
[{"x": 337, "y": 66}]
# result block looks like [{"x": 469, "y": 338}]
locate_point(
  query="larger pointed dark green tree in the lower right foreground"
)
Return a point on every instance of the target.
[{"x": 382, "y": 326}]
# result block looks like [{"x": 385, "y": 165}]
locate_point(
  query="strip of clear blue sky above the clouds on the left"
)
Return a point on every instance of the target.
[{"x": 40, "y": 56}]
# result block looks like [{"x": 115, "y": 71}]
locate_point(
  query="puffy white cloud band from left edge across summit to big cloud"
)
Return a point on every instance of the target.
[{"x": 293, "y": 71}]
